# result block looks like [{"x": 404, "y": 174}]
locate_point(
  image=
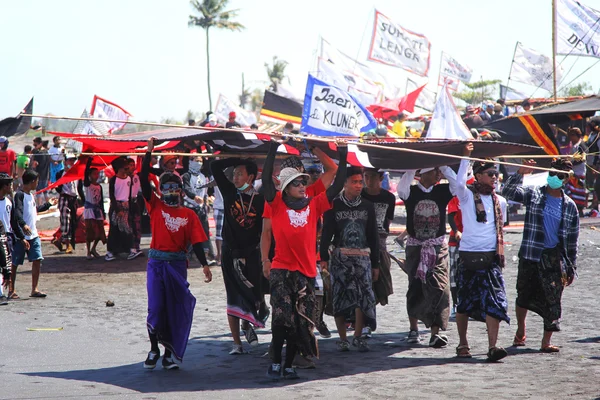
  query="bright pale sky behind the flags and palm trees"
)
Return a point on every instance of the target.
[{"x": 142, "y": 55}]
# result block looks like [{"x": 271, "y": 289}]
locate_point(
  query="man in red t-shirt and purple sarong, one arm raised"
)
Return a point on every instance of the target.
[{"x": 170, "y": 302}]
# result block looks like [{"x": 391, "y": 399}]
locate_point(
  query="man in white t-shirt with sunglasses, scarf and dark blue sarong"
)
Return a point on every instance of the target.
[{"x": 480, "y": 285}]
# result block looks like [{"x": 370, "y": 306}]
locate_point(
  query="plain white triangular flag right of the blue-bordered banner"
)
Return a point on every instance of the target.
[{"x": 446, "y": 122}]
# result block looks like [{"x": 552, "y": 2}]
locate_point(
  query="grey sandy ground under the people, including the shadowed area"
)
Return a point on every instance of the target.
[{"x": 100, "y": 350}]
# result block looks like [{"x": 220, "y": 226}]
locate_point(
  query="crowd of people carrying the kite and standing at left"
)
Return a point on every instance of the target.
[{"x": 310, "y": 235}]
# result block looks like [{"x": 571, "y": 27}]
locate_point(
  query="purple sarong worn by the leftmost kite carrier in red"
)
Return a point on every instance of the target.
[{"x": 170, "y": 304}]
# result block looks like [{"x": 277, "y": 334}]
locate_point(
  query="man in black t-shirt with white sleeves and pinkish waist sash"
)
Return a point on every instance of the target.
[{"x": 428, "y": 297}]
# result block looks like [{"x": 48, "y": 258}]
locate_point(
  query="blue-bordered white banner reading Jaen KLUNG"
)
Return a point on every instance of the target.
[{"x": 330, "y": 111}]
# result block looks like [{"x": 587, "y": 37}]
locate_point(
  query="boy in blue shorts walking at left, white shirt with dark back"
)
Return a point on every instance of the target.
[{"x": 26, "y": 210}]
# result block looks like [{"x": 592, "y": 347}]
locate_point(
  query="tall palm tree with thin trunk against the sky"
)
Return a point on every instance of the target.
[{"x": 213, "y": 15}]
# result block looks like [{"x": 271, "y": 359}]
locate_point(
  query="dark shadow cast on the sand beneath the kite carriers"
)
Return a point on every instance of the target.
[{"x": 208, "y": 366}]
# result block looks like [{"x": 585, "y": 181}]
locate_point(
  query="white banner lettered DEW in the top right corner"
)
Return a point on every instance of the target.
[{"x": 577, "y": 29}]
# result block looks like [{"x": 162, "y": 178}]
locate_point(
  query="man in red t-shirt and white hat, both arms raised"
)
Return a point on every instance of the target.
[{"x": 292, "y": 217}]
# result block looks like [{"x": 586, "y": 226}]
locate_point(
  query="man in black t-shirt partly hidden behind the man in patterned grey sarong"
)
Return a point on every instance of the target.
[{"x": 384, "y": 203}]
